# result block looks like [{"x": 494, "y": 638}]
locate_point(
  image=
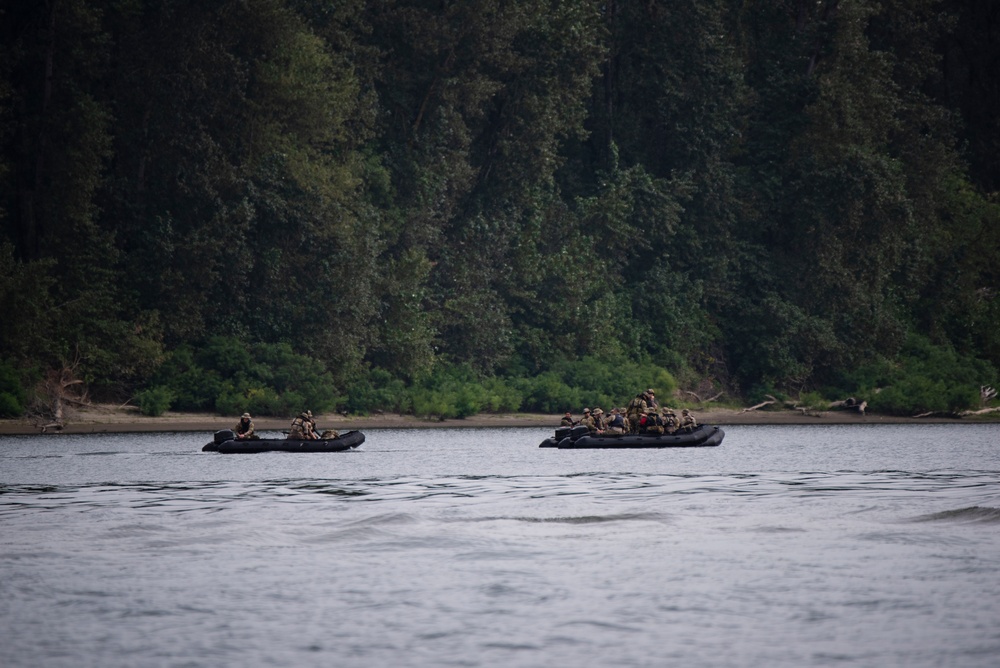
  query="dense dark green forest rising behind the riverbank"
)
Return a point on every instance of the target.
[{"x": 450, "y": 207}]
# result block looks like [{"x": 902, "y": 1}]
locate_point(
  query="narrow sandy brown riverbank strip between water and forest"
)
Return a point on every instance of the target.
[{"x": 114, "y": 419}]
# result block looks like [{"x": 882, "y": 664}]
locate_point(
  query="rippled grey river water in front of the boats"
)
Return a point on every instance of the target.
[{"x": 786, "y": 546}]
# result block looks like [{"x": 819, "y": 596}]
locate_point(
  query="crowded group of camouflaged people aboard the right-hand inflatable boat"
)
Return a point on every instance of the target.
[{"x": 643, "y": 415}]
